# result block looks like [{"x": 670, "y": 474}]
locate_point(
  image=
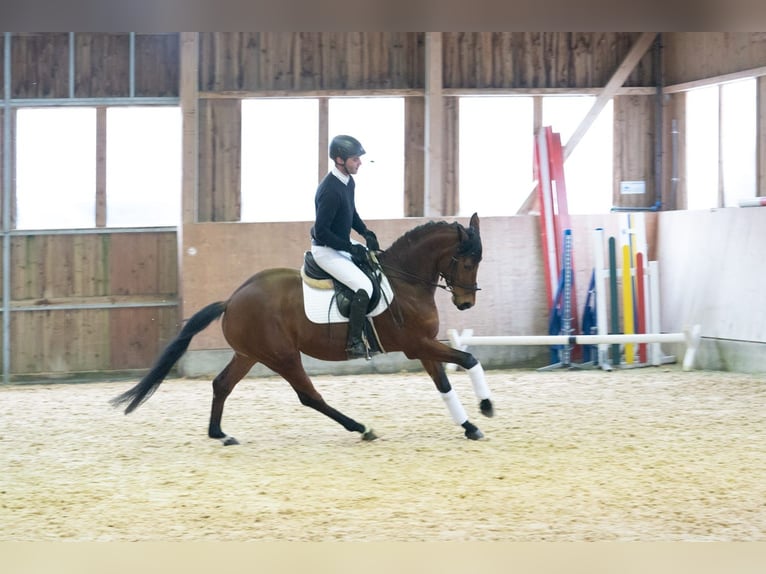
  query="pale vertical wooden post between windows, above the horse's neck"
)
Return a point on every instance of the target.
[{"x": 432, "y": 203}]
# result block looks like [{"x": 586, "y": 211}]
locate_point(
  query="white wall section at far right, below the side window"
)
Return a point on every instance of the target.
[{"x": 713, "y": 273}]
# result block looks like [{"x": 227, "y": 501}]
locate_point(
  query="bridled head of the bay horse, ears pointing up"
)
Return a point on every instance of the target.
[{"x": 460, "y": 275}]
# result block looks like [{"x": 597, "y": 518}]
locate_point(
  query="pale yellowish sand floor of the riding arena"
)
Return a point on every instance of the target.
[{"x": 651, "y": 454}]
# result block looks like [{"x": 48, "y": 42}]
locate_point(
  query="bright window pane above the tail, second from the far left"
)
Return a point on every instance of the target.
[{"x": 143, "y": 167}]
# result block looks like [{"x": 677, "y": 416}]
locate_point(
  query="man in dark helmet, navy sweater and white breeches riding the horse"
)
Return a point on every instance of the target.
[{"x": 331, "y": 243}]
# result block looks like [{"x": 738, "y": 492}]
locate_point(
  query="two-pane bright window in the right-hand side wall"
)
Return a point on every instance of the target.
[{"x": 721, "y": 144}]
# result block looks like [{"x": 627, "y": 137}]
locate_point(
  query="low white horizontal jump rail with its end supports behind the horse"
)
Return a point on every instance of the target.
[{"x": 691, "y": 337}]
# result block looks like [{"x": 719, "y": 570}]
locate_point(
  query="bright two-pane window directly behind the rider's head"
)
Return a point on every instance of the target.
[{"x": 280, "y": 155}]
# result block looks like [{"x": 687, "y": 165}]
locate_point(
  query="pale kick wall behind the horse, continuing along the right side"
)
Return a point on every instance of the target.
[{"x": 710, "y": 274}]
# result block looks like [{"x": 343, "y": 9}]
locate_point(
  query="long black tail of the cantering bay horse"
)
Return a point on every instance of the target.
[{"x": 146, "y": 387}]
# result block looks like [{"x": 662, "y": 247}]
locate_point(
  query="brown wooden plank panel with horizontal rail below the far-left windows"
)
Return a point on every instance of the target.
[{"x": 91, "y": 302}]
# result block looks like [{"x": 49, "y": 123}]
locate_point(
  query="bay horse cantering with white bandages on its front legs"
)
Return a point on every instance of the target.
[{"x": 264, "y": 322}]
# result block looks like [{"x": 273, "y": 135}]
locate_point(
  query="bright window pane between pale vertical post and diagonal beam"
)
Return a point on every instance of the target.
[{"x": 495, "y": 149}]
